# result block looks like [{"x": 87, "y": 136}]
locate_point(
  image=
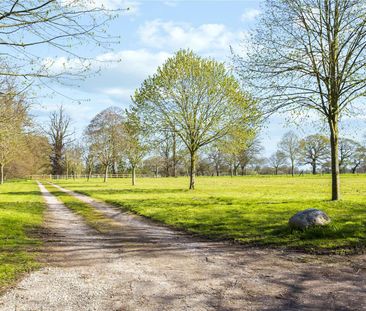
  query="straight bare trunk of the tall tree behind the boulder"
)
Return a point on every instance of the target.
[{"x": 336, "y": 182}]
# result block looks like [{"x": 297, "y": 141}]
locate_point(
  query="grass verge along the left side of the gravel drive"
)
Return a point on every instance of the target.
[{"x": 21, "y": 213}]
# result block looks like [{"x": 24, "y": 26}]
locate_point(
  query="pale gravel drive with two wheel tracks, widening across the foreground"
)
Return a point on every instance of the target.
[{"x": 142, "y": 266}]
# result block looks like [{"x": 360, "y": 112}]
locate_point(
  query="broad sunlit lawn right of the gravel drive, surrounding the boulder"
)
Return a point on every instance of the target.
[{"x": 253, "y": 210}]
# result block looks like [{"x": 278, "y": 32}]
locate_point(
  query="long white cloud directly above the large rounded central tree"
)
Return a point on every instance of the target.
[{"x": 213, "y": 38}]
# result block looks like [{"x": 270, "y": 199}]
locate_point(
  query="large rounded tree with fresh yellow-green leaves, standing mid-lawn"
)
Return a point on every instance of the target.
[{"x": 197, "y": 98}]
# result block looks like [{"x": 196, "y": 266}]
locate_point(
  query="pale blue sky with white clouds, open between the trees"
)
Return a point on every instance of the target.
[{"x": 150, "y": 32}]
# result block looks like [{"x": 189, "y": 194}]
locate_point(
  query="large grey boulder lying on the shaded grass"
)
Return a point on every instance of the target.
[{"x": 309, "y": 218}]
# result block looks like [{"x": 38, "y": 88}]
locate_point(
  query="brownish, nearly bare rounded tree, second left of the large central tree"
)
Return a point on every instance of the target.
[{"x": 104, "y": 135}]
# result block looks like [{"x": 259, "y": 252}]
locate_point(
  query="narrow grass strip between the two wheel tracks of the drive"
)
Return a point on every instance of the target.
[{"x": 93, "y": 217}]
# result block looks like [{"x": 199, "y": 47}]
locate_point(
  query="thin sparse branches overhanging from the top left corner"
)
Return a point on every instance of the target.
[{"x": 55, "y": 24}]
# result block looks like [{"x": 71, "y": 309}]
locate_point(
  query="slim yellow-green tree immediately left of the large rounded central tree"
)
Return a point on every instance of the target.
[{"x": 135, "y": 147}]
